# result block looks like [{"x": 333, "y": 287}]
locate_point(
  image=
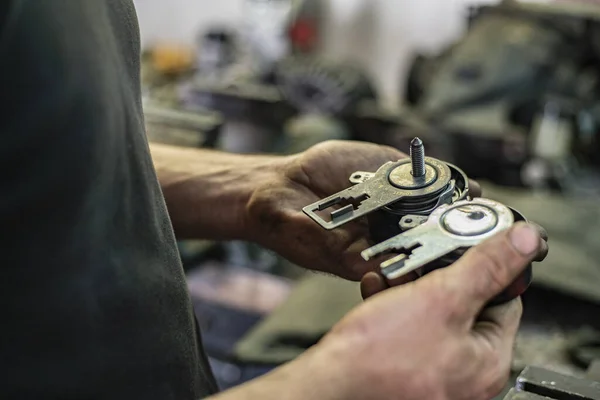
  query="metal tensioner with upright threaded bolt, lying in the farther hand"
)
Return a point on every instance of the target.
[{"x": 413, "y": 186}]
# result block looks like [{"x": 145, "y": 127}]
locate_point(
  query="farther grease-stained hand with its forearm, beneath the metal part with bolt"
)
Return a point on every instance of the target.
[{"x": 220, "y": 196}]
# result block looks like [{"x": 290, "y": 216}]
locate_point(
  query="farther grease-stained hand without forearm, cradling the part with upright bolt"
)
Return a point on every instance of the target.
[{"x": 275, "y": 218}]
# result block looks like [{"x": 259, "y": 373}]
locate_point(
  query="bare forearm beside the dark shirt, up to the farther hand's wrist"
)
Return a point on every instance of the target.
[{"x": 207, "y": 191}]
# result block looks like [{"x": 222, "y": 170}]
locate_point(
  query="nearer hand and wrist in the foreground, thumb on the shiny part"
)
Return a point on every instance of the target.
[{"x": 427, "y": 339}]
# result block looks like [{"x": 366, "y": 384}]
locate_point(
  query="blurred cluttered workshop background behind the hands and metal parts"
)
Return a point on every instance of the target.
[{"x": 508, "y": 91}]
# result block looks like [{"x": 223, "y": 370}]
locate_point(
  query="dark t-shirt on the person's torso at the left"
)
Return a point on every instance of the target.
[{"x": 94, "y": 299}]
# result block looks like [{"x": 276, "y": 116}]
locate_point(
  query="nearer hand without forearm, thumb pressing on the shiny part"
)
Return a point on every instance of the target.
[{"x": 438, "y": 343}]
